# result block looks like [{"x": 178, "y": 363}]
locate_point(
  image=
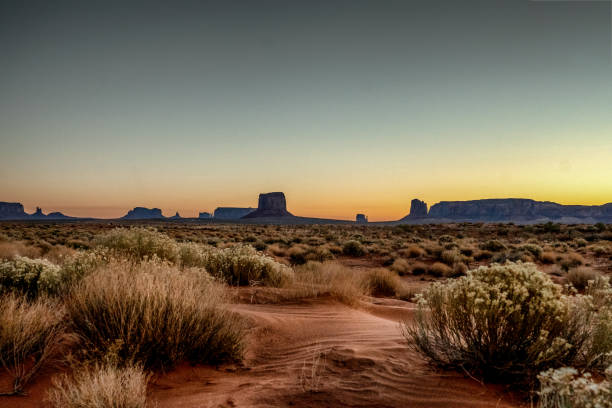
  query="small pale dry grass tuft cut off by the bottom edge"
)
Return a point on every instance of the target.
[{"x": 100, "y": 386}]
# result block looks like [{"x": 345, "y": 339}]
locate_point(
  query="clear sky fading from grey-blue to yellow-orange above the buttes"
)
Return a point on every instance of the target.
[{"x": 346, "y": 106}]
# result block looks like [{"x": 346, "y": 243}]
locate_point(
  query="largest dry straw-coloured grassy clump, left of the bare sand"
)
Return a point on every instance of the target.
[{"x": 154, "y": 314}]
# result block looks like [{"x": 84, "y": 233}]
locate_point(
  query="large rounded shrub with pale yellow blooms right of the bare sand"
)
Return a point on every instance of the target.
[{"x": 500, "y": 321}]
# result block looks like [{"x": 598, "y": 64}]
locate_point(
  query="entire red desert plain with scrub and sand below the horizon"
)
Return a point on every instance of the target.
[{"x": 105, "y": 314}]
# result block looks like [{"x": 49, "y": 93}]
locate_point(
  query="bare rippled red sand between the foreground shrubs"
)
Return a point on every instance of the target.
[{"x": 316, "y": 353}]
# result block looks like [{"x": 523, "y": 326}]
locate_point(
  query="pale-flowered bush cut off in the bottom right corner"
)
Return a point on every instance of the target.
[{"x": 564, "y": 388}]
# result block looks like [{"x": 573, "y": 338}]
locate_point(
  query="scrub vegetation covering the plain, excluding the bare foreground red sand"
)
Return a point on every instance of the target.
[{"x": 127, "y": 301}]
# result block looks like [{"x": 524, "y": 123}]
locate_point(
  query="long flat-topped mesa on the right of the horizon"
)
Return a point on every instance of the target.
[{"x": 517, "y": 209}]
